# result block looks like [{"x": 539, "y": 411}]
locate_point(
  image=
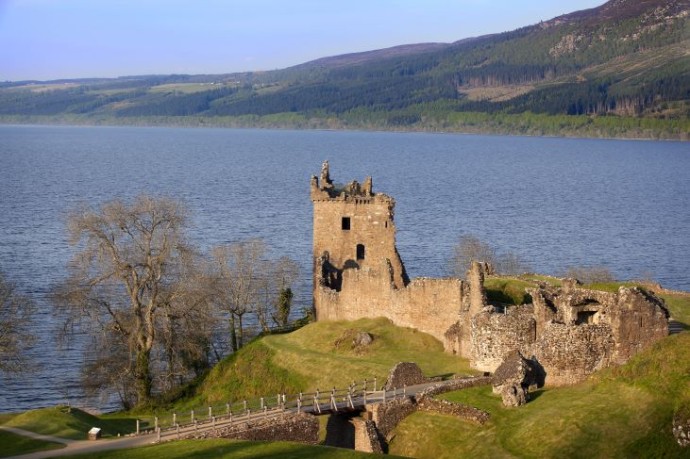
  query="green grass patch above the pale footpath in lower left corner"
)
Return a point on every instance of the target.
[{"x": 70, "y": 423}]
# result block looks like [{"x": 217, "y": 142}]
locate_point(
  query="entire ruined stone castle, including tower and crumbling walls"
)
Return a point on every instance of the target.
[{"x": 569, "y": 330}]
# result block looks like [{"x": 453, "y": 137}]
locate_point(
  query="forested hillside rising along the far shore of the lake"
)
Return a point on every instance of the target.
[{"x": 622, "y": 69}]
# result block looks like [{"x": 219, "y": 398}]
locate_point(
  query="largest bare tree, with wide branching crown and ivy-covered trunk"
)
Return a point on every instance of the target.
[{"x": 133, "y": 279}]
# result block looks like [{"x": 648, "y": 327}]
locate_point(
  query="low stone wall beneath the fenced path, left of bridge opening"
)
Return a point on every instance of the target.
[{"x": 302, "y": 428}]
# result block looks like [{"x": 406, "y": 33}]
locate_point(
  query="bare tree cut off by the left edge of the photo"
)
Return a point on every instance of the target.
[{"x": 16, "y": 312}]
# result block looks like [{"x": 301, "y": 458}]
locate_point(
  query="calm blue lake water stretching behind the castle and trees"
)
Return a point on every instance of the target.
[{"x": 554, "y": 202}]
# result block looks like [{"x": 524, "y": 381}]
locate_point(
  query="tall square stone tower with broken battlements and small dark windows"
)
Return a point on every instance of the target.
[{"x": 353, "y": 228}]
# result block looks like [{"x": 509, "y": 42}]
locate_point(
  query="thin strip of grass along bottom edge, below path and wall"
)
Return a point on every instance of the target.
[{"x": 220, "y": 448}]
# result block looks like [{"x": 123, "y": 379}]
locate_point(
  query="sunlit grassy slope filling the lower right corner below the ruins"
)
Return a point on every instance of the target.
[{"x": 621, "y": 412}]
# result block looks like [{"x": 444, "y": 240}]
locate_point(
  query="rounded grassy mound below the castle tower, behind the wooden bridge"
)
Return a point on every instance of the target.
[{"x": 321, "y": 355}]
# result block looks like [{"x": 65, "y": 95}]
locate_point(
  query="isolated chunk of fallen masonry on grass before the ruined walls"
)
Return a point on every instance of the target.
[{"x": 514, "y": 377}]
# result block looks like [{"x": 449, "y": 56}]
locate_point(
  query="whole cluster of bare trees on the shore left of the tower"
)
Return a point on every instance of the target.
[{"x": 150, "y": 301}]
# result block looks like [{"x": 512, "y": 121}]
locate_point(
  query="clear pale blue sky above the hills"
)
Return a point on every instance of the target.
[{"x": 55, "y": 39}]
